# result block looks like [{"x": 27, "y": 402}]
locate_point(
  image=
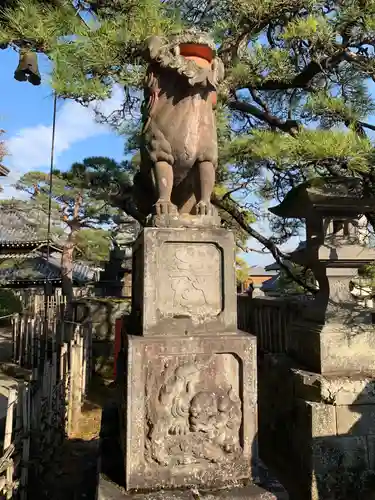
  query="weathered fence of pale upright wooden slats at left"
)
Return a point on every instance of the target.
[{"x": 44, "y": 400}]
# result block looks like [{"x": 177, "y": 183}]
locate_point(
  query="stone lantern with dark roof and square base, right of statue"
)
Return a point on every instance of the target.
[{"x": 334, "y": 333}]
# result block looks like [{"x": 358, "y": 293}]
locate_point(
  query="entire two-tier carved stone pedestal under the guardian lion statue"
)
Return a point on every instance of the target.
[{"x": 189, "y": 394}]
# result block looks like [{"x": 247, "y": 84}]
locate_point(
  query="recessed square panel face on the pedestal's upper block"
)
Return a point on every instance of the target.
[{"x": 191, "y": 280}]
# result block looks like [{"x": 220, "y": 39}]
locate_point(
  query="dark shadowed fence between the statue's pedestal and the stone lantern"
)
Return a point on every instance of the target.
[{"x": 269, "y": 319}]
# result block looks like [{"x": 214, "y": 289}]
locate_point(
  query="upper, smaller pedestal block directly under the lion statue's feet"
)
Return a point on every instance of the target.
[{"x": 184, "y": 282}]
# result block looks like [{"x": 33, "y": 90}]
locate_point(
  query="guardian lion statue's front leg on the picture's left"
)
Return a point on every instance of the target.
[{"x": 163, "y": 180}]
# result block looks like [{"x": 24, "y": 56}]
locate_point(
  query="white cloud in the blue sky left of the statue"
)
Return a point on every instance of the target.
[{"x": 30, "y": 148}]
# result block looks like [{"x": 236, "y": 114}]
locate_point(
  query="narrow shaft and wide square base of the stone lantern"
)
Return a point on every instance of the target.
[{"x": 338, "y": 338}]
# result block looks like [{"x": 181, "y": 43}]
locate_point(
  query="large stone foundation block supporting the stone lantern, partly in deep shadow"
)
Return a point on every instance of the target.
[{"x": 327, "y": 440}]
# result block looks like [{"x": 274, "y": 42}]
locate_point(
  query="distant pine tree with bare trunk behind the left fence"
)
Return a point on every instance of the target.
[{"x": 78, "y": 216}]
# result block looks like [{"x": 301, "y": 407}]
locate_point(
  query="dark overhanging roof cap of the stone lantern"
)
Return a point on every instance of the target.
[{"x": 333, "y": 196}]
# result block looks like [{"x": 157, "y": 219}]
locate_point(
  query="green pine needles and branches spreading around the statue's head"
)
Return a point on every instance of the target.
[{"x": 295, "y": 101}]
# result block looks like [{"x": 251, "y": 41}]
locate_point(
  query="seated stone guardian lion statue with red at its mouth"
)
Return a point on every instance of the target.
[{"x": 179, "y": 138}]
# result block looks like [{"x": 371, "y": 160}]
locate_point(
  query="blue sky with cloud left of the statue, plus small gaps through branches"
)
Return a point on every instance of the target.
[{"x": 26, "y": 116}]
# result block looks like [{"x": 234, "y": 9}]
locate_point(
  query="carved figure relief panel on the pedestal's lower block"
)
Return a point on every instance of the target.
[{"x": 194, "y": 413}]
